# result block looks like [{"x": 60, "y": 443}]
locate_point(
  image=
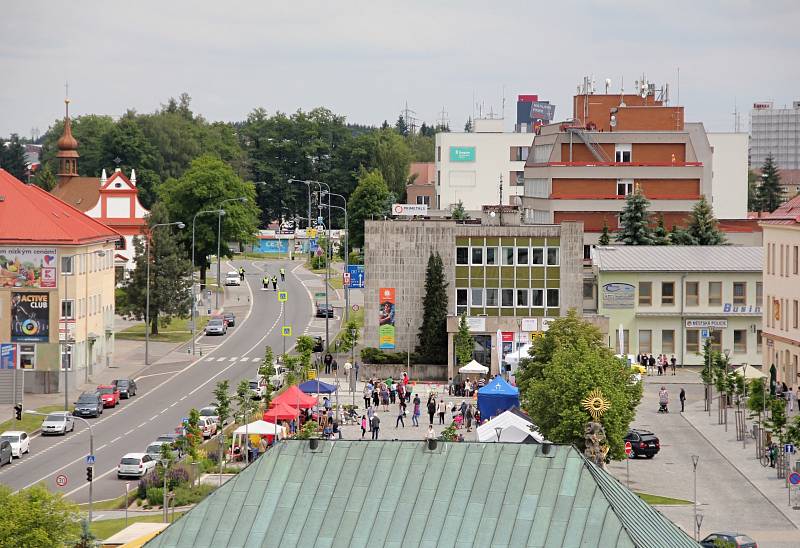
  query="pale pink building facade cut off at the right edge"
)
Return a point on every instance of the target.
[{"x": 782, "y": 289}]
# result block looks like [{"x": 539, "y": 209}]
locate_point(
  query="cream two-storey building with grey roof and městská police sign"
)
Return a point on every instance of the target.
[{"x": 667, "y": 299}]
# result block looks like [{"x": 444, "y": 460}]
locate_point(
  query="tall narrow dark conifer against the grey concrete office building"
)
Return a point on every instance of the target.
[{"x": 433, "y": 331}]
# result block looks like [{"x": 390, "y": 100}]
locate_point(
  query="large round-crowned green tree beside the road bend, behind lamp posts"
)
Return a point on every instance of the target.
[{"x": 205, "y": 185}]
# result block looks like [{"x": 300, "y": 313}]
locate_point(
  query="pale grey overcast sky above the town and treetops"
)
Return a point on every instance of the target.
[{"x": 366, "y": 59}]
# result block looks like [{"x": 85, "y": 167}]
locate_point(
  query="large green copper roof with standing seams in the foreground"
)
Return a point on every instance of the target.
[{"x": 400, "y": 494}]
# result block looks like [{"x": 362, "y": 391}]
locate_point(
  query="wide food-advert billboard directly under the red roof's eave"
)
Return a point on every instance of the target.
[{"x": 28, "y": 267}]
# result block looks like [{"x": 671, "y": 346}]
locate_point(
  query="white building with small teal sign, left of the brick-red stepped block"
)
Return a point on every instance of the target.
[{"x": 471, "y": 166}]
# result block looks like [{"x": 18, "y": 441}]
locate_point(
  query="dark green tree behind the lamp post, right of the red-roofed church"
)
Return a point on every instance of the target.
[{"x": 170, "y": 289}]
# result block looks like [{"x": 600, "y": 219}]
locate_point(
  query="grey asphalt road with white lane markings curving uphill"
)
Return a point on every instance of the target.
[{"x": 169, "y": 389}]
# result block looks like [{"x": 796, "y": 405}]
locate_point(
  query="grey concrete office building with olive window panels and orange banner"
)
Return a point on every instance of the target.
[{"x": 509, "y": 279}]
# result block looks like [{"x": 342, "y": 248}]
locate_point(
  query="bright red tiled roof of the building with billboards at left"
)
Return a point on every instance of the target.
[{"x": 30, "y": 215}]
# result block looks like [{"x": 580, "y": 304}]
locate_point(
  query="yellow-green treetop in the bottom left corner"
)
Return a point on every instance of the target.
[{"x": 36, "y": 517}]
